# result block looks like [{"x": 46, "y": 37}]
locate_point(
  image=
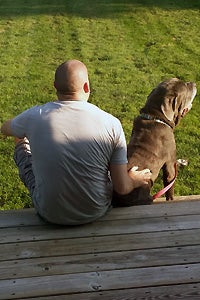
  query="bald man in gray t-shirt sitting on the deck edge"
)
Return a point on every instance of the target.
[{"x": 66, "y": 149}]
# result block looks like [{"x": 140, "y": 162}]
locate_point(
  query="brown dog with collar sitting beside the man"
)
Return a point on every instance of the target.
[{"x": 152, "y": 144}]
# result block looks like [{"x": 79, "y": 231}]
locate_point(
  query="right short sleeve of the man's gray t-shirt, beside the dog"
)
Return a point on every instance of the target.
[{"x": 119, "y": 155}]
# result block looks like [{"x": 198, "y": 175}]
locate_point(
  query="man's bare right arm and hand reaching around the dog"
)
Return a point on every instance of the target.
[{"x": 124, "y": 182}]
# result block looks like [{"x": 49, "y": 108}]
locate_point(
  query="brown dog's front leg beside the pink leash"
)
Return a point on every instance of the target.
[{"x": 169, "y": 173}]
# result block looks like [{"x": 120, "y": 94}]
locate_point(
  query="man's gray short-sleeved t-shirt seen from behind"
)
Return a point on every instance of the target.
[{"x": 72, "y": 144}]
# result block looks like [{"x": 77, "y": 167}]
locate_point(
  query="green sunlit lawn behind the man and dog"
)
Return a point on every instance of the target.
[{"x": 128, "y": 47}]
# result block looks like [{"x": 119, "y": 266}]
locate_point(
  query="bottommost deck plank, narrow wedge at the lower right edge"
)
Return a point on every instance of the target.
[{"x": 173, "y": 292}]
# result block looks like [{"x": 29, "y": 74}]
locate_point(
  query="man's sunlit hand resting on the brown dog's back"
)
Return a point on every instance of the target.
[{"x": 140, "y": 177}]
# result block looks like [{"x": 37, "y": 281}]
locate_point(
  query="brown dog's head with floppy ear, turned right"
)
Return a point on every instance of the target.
[{"x": 171, "y": 99}]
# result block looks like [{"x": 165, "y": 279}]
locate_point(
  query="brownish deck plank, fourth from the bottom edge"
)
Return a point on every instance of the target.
[{"x": 100, "y": 244}]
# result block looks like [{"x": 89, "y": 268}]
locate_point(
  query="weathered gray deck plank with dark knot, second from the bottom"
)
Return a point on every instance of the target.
[{"x": 99, "y": 281}]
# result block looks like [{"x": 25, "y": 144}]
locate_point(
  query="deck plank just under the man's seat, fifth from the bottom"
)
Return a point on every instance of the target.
[{"x": 114, "y": 227}]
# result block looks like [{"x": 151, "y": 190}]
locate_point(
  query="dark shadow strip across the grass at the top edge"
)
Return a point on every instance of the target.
[{"x": 87, "y": 8}]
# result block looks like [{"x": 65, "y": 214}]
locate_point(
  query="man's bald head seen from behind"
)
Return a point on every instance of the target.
[{"x": 71, "y": 79}]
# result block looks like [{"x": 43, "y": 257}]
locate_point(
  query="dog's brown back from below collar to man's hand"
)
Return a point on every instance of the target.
[{"x": 151, "y": 145}]
